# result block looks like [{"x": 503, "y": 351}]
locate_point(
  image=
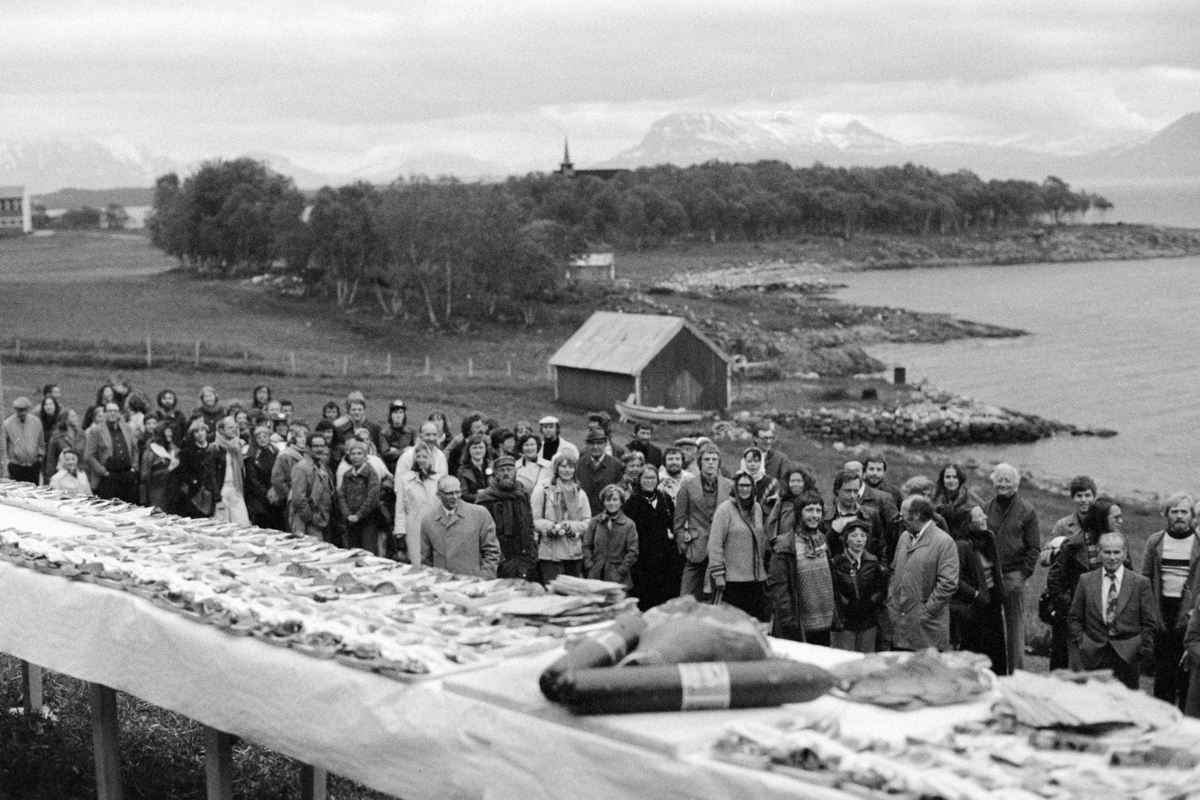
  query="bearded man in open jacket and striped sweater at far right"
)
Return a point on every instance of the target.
[{"x": 1171, "y": 562}]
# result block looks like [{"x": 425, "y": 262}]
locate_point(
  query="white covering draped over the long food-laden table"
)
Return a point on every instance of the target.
[{"x": 412, "y": 741}]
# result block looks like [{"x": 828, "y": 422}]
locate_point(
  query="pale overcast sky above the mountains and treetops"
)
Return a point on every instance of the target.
[{"x": 338, "y": 85}]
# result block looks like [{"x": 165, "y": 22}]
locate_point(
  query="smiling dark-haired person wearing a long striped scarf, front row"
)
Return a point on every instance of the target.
[{"x": 801, "y": 576}]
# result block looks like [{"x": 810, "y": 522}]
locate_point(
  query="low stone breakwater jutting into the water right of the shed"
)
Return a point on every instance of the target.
[{"x": 935, "y": 420}]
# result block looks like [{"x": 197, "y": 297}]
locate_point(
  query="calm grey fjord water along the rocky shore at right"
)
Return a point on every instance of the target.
[{"x": 1112, "y": 345}]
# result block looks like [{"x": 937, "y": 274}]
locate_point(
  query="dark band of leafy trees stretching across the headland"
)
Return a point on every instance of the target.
[{"x": 445, "y": 250}]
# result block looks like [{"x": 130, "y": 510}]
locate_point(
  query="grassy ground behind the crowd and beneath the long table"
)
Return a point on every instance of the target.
[{"x": 89, "y": 290}]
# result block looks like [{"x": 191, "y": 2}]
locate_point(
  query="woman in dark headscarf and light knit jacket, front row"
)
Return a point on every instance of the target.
[{"x": 736, "y": 550}]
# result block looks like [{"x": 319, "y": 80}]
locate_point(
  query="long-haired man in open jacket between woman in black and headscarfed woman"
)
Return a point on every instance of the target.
[{"x": 695, "y": 506}]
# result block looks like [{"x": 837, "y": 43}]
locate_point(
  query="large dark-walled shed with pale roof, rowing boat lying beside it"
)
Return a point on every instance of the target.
[{"x": 659, "y": 360}]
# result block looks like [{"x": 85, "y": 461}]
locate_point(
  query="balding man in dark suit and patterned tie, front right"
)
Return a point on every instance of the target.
[{"x": 1114, "y": 616}]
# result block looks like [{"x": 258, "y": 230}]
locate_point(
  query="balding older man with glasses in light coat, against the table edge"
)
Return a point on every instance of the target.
[{"x": 459, "y": 537}]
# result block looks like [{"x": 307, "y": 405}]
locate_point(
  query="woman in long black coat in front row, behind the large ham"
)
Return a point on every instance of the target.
[{"x": 659, "y": 568}]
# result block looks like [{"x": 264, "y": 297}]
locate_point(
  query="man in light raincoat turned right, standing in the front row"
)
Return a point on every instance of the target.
[{"x": 925, "y": 578}]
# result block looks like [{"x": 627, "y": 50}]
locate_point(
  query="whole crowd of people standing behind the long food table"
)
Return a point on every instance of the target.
[{"x": 927, "y": 564}]
